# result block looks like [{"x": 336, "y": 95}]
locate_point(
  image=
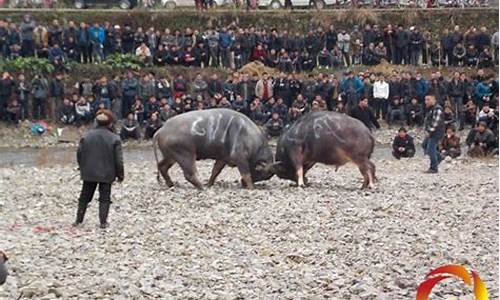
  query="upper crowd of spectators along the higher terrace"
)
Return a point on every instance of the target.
[{"x": 232, "y": 47}]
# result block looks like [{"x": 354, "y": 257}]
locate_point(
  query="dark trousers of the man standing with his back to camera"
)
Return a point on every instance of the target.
[{"x": 86, "y": 195}]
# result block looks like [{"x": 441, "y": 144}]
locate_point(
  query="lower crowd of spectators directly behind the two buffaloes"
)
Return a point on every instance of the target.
[{"x": 144, "y": 101}]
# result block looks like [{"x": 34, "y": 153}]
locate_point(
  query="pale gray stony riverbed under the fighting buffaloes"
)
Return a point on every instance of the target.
[{"x": 330, "y": 240}]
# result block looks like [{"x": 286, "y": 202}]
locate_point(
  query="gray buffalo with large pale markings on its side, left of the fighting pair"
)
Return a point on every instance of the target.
[{"x": 225, "y": 135}]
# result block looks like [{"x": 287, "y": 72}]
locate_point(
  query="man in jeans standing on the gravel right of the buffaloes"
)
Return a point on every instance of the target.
[{"x": 434, "y": 128}]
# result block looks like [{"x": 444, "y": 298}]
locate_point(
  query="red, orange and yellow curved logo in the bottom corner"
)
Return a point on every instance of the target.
[{"x": 449, "y": 271}]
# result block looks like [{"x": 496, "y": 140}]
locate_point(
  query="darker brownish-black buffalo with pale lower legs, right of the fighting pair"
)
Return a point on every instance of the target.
[{"x": 324, "y": 137}]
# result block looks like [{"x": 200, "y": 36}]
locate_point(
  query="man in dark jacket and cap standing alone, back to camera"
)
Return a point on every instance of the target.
[{"x": 100, "y": 160}]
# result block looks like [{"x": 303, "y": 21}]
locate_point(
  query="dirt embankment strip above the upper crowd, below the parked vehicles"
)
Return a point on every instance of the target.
[{"x": 434, "y": 20}]
